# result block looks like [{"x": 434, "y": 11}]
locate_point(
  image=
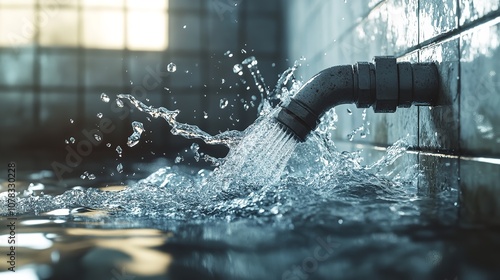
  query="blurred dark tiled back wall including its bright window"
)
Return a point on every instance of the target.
[{"x": 58, "y": 56}]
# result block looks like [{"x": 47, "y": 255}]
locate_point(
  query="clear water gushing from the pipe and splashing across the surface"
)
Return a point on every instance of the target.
[{"x": 266, "y": 174}]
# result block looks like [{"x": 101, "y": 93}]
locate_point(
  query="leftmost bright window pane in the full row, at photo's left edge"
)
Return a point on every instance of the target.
[{"x": 17, "y": 27}]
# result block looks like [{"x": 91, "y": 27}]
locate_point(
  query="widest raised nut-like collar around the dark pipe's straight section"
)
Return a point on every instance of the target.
[{"x": 386, "y": 89}]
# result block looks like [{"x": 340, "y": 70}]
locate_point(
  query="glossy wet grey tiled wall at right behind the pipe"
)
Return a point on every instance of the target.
[{"x": 457, "y": 144}]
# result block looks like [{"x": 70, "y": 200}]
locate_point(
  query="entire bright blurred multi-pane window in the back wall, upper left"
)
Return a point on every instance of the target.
[{"x": 96, "y": 24}]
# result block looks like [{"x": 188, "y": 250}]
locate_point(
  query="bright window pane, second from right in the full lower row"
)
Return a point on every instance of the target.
[{"x": 103, "y": 29}]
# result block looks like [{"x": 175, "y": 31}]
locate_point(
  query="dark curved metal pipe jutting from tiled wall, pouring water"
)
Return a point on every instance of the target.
[{"x": 383, "y": 84}]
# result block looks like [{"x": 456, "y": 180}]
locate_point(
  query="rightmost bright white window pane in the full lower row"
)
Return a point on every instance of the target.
[{"x": 147, "y": 31}]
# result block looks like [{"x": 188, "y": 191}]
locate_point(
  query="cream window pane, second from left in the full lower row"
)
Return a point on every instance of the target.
[{"x": 60, "y": 29}]
